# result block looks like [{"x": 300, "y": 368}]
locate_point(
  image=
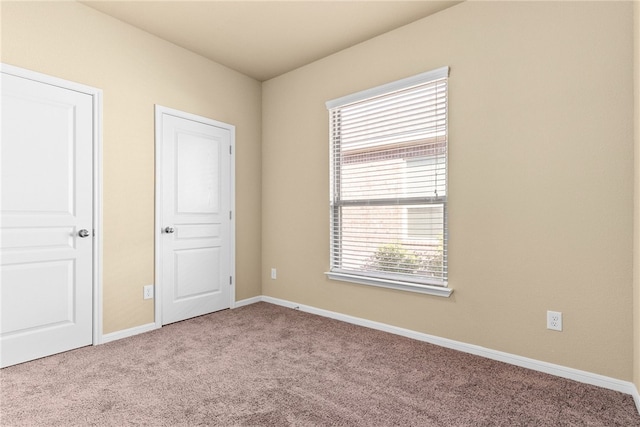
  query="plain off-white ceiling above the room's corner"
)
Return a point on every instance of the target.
[{"x": 264, "y": 39}]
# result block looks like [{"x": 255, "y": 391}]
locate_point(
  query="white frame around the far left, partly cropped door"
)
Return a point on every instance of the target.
[{"x": 96, "y": 97}]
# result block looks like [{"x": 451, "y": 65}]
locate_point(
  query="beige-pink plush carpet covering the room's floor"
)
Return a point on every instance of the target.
[{"x": 265, "y": 365}]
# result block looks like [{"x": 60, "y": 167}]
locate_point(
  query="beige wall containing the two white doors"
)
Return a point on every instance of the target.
[{"x": 135, "y": 71}]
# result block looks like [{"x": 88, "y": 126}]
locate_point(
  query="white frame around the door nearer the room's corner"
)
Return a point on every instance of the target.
[{"x": 159, "y": 111}]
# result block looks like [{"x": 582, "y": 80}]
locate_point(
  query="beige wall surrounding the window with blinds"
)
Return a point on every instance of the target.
[{"x": 541, "y": 179}]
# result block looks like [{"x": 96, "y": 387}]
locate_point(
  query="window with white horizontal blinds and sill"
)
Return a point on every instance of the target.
[{"x": 388, "y": 203}]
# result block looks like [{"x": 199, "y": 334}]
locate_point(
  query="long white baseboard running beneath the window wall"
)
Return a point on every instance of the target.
[{"x": 525, "y": 362}]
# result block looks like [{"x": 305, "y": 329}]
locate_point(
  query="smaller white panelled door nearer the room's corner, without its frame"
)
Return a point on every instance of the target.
[{"x": 194, "y": 224}]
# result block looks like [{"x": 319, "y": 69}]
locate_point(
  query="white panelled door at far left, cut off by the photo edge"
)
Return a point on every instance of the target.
[{"x": 46, "y": 231}]
